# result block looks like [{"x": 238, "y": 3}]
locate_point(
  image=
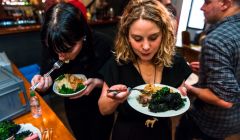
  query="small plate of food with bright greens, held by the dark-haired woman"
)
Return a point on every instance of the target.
[{"x": 68, "y": 85}]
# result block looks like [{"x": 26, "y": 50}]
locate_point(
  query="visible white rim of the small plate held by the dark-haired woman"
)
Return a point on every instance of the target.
[{"x": 72, "y": 94}]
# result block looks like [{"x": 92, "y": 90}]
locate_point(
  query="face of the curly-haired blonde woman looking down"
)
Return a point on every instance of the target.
[{"x": 145, "y": 38}]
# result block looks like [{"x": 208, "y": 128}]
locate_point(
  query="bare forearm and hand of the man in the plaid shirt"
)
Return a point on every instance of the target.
[{"x": 207, "y": 96}]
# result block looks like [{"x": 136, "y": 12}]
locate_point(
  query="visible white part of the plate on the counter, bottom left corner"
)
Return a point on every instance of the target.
[{"x": 30, "y": 127}]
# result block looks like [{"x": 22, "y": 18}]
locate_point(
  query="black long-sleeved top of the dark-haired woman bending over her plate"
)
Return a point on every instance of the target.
[{"x": 83, "y": 113}]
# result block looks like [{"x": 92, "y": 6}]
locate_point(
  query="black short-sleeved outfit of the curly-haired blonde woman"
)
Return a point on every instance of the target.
[{"x": 128, "y": 75}]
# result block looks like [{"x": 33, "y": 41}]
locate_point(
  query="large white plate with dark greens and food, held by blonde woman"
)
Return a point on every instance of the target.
[{"x": 159, "y": 100}]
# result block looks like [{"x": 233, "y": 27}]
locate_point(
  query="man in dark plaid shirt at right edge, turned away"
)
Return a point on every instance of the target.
[{"x": 215, "y": 113}]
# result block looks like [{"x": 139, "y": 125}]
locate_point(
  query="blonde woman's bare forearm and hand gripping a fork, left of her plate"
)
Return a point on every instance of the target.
[{"x": 108, "y": 102}]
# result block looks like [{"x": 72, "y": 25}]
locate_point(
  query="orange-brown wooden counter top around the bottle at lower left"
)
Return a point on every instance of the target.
[{"x": 49, "y": 118}]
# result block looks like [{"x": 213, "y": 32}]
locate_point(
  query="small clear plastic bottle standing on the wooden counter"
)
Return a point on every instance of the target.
[{"x": 35, "y": 105}]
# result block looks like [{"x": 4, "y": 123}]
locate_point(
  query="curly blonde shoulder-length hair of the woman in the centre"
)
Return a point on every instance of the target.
[{"x": 154, "y": 11}]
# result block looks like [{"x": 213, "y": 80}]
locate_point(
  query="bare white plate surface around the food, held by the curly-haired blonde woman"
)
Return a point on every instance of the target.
[{"x": 133, "y": 102}]
